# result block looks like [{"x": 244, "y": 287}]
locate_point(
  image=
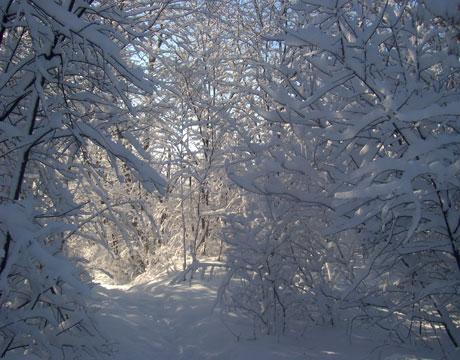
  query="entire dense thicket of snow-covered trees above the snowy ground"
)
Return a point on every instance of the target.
[{"x": 311, "y": 147}]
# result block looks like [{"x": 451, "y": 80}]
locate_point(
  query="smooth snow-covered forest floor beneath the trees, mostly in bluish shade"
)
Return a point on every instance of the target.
[{"x": 151, "y": 319}]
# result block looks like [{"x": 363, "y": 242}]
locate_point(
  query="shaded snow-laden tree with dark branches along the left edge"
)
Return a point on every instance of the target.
[{"x": 64, "y": 89}]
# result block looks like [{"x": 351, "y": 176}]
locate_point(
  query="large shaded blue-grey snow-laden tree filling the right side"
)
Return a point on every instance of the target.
[{"x": 371, "y": 90}]
